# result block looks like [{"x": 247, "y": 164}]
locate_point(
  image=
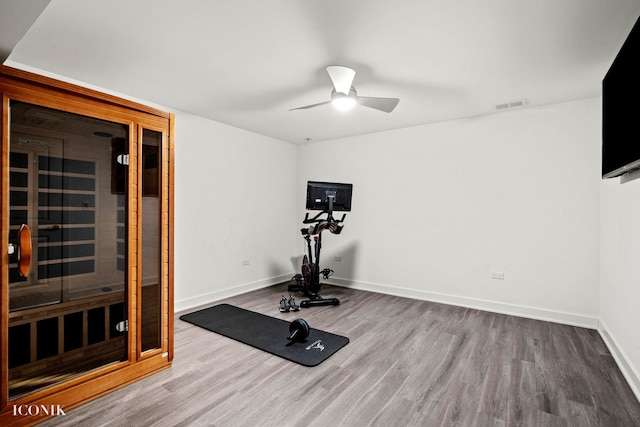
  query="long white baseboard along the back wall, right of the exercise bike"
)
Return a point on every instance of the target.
[{"x": 478, "y": 304}]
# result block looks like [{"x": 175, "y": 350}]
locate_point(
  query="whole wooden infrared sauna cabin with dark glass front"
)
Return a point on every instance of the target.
[{"x": 87, "y": 245}]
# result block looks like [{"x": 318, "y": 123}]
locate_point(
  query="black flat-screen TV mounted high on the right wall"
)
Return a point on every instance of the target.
[{"x": 621, "y": 109}]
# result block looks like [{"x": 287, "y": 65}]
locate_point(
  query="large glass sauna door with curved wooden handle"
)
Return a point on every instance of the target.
[{"x": 68, "y": 192}]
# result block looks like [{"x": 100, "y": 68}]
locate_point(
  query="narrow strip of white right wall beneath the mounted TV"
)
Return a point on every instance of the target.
[{"x": 620, "y": 274}]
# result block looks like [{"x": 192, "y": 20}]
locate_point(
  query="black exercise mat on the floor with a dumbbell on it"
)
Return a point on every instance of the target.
[{"x": 267, "y": 333}]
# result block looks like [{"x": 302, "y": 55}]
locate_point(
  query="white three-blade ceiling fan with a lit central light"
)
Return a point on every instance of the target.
[{"x": 345, "y": 97}]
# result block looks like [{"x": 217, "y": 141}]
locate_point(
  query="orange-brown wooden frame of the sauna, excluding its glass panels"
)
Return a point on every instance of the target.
[{"x": 43, "y": 91}]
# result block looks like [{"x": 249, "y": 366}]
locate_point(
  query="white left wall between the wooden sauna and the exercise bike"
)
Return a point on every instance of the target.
[{"x": 235, "y": 200}]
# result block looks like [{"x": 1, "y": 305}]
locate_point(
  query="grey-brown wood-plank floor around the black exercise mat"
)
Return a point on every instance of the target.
[{"x": 408, "y": 363}]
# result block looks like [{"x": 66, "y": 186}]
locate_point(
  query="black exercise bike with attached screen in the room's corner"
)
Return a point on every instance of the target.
[{"x": 327, "y": 197}]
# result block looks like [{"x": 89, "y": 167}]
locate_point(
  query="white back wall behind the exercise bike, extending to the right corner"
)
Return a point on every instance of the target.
[{"x": 438, "y": 208}]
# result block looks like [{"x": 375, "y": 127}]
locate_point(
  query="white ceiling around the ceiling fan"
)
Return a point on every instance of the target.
[{"x": 247, "y": 62}]
